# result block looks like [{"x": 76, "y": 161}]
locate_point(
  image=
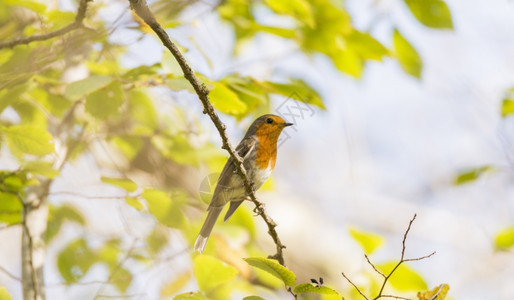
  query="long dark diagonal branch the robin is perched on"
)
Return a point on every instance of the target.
[{"x": 142, "y": 10}]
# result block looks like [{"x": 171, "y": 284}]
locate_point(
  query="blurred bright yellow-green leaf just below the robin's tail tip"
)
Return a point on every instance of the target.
[{"x": 210, "y": 273}]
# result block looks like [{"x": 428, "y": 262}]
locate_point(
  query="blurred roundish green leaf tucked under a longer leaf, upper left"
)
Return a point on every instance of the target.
[{"x": 106, "y": 101}]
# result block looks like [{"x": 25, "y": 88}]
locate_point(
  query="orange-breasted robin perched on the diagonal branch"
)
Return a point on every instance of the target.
[{"x": 259, "y": 152}]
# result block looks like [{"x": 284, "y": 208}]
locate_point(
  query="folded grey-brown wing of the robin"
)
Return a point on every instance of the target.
[{"x": 225, "y": 181}]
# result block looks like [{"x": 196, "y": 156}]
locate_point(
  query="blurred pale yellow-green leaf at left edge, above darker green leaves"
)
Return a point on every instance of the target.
[{"x": 29, "y": 139}]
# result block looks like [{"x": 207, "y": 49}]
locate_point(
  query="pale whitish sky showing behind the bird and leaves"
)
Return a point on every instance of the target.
[{"x": 387, "y": 147}]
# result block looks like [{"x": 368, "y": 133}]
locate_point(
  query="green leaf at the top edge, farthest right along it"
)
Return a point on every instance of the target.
[{"x": 431, "y": 13}]
